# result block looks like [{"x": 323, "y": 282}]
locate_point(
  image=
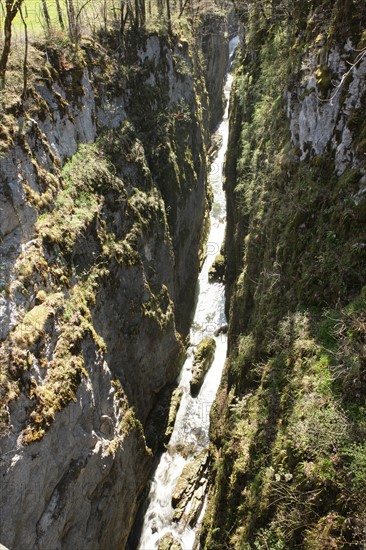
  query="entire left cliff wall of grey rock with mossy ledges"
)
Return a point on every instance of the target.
[{"x": 103, "y": 197}]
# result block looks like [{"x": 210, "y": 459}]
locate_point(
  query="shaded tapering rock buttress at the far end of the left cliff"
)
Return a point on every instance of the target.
[{"x": 174, "y": 127}]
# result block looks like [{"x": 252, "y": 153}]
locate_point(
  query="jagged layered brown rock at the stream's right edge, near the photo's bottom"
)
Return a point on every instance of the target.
[{"x": 189, "y": 493}]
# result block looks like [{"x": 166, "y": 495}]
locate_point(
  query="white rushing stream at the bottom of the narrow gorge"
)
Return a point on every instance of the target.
[{"x": 191, "y": 429}]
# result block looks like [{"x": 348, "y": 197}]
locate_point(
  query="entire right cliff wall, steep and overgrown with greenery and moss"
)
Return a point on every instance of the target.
[{"x": 288, "y": 424}]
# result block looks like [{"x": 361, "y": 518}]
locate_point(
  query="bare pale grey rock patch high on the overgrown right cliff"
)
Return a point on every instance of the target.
[{"x": 318, "y": 122}]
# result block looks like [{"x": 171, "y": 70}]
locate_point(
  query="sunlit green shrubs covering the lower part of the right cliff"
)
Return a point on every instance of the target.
[{"x": 290, "y": 439}]
